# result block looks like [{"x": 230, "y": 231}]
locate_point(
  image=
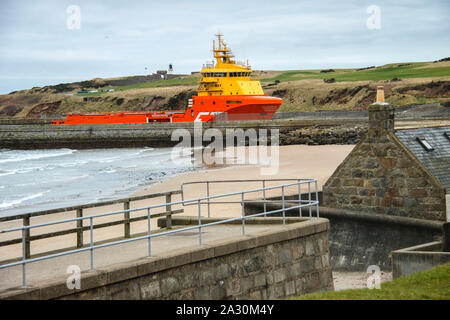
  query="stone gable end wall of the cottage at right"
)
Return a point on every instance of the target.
[{"x": 380, "y": 175}]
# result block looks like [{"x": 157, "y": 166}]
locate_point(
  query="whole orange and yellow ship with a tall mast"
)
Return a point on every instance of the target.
[{"x": 225, "y": 93}]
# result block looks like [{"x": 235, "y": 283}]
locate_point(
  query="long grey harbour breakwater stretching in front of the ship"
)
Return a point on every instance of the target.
[{"x": 44, "y": 135}]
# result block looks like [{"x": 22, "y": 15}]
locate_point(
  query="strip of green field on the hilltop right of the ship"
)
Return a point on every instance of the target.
[{"x": 386, "y": 72}]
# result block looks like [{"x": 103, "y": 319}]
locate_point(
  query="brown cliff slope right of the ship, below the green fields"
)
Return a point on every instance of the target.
[{"x": 313, "y": 95}]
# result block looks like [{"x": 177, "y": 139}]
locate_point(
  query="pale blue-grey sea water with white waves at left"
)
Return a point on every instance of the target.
[{"x": 33, "y": 180}]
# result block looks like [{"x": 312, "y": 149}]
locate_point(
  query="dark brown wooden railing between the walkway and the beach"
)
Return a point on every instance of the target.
[{"x": 127, "y": 220}]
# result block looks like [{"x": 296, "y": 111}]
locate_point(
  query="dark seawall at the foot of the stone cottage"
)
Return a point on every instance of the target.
[{"x": 360, "y": 239}]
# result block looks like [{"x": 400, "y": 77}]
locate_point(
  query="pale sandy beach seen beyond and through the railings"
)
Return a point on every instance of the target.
[{"x": 296, "y": 161}]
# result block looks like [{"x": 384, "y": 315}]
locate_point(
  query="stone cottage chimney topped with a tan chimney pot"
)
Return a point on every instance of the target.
[{"x": 381, "y": 116}]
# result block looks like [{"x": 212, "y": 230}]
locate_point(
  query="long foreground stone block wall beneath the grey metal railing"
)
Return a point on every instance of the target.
[{"x": 283, "y": 262}]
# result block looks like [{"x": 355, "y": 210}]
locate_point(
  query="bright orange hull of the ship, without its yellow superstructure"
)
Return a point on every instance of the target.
[{"x": 204, "y": 109}]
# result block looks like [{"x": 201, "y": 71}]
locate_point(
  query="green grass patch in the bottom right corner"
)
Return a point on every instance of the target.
[{"x": 433, "y": 284}]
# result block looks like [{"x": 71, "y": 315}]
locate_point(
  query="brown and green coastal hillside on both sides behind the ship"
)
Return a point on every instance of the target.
[{"x": 301, "y": 90}]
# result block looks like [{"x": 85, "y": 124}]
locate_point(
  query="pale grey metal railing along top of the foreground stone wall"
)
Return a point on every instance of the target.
[{"x": 149, "y": 235}]
